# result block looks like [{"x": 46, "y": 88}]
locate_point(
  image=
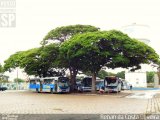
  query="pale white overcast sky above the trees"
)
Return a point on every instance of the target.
[{"x": 35, "y": 18}]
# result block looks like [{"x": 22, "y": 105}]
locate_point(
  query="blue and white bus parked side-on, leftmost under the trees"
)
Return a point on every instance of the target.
[{"x": 50, "y": 84}]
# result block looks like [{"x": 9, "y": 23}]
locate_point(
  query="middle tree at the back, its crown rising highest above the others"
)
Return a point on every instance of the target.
[{"x": 65, "y": 33}]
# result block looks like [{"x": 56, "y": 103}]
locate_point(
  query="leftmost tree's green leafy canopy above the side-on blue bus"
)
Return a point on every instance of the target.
[{"x": 36, "y": 61}]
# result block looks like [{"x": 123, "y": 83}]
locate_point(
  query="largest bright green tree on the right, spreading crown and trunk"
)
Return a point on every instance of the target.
[{"x": 92, "y": 51}]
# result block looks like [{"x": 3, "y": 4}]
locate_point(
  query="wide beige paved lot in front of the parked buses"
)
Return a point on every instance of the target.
[{"x": 25, "y": 102}]
